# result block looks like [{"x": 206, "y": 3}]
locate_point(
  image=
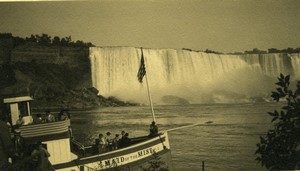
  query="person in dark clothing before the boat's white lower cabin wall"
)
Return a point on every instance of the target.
[{"x": 40, "y": 155}]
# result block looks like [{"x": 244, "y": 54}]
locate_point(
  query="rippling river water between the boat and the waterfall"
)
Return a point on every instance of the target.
[{"x": 225, "y": 138}]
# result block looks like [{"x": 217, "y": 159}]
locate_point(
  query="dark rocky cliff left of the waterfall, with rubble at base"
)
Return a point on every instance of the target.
[{"x": 57, "y": 77}]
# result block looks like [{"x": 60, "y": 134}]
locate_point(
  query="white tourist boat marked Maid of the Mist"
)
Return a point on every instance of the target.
[{"x": 67, "y": 154}]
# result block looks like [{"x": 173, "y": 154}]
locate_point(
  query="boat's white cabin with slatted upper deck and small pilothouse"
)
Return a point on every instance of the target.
[{"x": 55, "y": 136}]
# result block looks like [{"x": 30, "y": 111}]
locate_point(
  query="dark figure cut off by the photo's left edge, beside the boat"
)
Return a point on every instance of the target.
[{"x": 6, "y": 145}]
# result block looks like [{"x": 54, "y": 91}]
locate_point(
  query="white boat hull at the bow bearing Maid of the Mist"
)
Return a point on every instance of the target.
[{"x": 135, "y": 156}]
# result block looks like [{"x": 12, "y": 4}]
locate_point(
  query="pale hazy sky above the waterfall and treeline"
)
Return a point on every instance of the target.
[{"x": 219, "y": 25}]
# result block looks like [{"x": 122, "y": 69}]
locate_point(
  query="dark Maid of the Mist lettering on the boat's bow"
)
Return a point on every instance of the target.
[{"x": 119, "y": 160}]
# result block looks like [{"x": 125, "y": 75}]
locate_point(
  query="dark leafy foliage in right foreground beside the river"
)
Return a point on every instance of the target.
[{"x": 279, "y": 149}]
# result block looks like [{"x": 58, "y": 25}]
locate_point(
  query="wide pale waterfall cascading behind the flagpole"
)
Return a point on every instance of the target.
[{"x": 196, "y": 77}]
